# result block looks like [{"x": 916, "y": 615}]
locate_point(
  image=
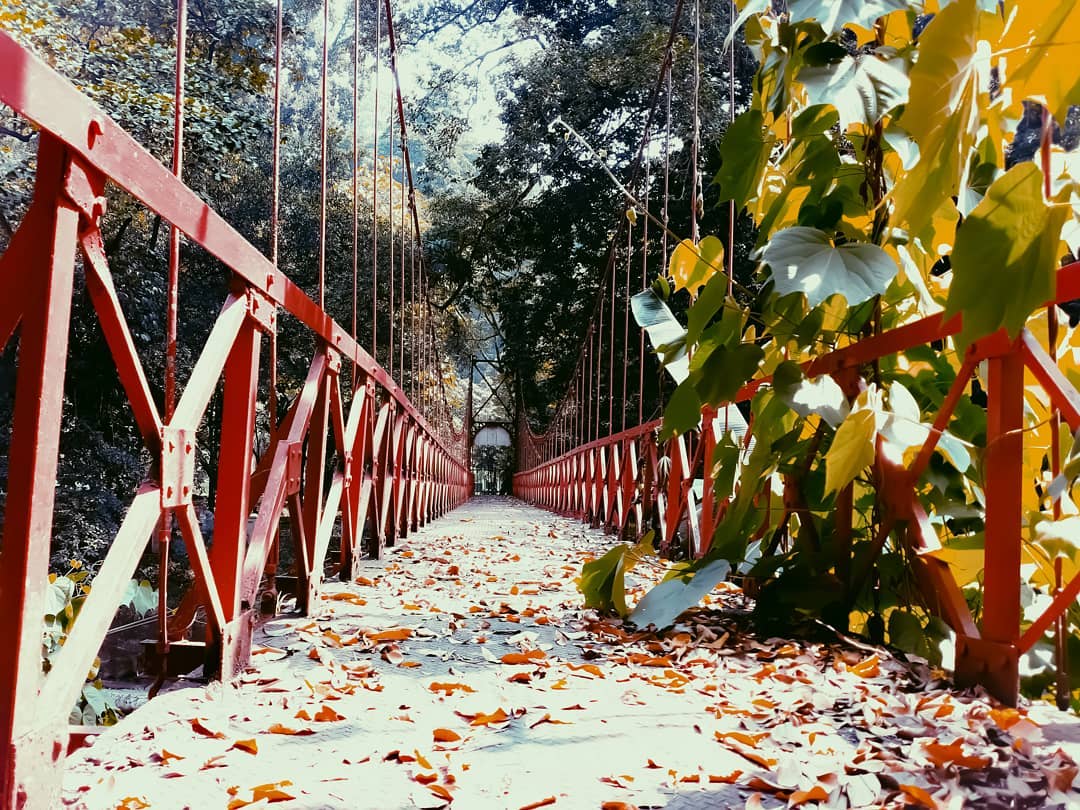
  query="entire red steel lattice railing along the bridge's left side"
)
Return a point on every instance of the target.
[{"x": 391, "y": 470}]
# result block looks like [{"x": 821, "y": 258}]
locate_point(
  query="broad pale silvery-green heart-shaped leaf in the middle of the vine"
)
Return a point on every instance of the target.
[{"x": 806, "y": 261}]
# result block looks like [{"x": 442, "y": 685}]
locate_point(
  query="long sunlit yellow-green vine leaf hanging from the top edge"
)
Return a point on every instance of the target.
[{"x": 942, "y": 116}]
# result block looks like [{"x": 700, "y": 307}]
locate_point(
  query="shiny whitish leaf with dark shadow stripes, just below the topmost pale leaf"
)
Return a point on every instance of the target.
[{"x": 862, "y": 90}]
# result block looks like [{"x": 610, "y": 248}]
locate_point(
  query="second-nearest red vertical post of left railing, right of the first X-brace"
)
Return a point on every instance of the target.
[{"x": 234, "y": 490}]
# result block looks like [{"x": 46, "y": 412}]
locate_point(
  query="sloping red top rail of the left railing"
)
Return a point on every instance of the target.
[{"x": 59, "y": 109}]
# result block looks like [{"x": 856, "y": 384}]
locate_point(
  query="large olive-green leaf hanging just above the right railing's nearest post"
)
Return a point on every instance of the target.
[{"x": 1006, "y": 256}]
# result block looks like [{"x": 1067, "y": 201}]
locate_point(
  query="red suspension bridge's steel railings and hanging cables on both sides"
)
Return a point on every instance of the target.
[{"x": 375, "y": 447}]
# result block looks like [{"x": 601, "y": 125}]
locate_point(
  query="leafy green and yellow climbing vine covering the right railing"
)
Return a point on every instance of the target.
[{"x": 876, "y": 161}]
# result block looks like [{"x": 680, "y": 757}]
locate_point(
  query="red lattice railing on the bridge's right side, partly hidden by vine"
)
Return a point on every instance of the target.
[{"x": 630, "y": 482}]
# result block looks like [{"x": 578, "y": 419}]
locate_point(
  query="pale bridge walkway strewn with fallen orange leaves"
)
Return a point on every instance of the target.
[{"x": 463, "y": 669}]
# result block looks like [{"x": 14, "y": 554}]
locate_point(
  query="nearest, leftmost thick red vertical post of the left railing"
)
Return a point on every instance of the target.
[{"x": 33, "y": 742}]
